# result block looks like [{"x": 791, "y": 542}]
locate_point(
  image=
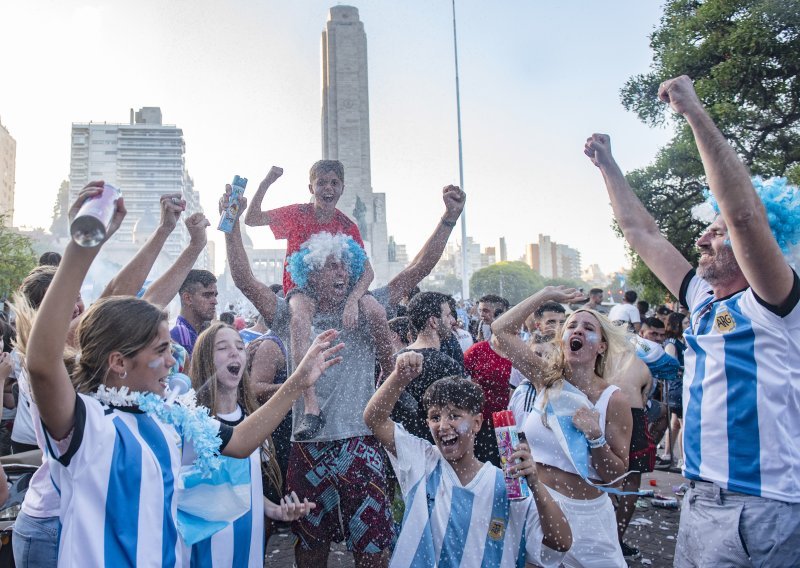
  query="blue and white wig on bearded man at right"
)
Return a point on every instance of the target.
[{"x": 782, "y": 202}]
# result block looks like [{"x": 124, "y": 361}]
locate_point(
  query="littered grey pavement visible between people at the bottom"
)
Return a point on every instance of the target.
[{"x": 653, "y": 531}]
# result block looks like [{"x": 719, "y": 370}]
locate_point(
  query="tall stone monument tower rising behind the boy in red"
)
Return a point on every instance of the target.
[{"x": 345, "y": 129}]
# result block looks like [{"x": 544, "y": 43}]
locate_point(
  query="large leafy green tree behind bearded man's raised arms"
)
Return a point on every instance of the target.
[{"x": 744, "y": 58}]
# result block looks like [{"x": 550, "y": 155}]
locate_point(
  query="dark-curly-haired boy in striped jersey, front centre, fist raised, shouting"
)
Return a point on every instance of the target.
[{"x": 455, "y": 504}]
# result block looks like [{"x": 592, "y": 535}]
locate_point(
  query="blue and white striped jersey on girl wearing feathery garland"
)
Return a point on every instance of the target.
[{"x": 116, "y": 479}]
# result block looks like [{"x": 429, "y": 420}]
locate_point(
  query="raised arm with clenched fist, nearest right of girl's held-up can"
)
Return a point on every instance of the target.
[{"x": 130, "y": 279}]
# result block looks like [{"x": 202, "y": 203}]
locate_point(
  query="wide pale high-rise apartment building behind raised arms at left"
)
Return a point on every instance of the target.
[{"x": 144, "y": 159}]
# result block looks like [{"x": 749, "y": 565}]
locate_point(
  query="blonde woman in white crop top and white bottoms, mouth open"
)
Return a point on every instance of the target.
[{"x": 580, "y": 426}]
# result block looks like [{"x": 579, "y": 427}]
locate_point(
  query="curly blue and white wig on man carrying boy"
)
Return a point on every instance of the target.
[{"x": 315, "y": 252}]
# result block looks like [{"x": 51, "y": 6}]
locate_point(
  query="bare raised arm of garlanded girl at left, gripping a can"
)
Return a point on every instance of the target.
[{"x": 50, "y": 382}]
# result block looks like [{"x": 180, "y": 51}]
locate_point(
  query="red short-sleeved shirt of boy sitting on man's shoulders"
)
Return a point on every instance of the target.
[{"x": 296, "y": 223}]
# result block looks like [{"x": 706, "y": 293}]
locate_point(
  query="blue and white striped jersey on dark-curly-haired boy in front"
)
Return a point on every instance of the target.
[{"x": 447, "y": 524}]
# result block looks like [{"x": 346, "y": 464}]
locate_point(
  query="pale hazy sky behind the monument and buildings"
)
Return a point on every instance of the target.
[{"x": 242, "y": 79}]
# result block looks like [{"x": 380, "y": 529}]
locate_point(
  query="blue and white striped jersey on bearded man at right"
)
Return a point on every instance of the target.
[{"x": 741, "y": 391}]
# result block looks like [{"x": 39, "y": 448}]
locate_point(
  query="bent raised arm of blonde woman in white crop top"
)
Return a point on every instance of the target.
[{"x": 505, "y": 331}]
